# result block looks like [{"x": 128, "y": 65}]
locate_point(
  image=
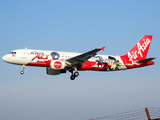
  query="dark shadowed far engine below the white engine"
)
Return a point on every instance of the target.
[{"x": 50, "y": 71}]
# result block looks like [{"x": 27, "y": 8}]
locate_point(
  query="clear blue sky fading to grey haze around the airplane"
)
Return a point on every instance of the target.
[{"x": 77, "y": 26}]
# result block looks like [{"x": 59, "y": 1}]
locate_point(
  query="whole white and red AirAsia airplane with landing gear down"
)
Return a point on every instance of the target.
[{"x": 57, "y": 62}]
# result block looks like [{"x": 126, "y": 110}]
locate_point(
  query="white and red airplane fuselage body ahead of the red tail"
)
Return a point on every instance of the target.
[{"x": 43, "y": 58}]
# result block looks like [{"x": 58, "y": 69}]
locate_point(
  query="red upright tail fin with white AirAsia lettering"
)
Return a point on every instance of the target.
[{"x": 139, "y": 51}]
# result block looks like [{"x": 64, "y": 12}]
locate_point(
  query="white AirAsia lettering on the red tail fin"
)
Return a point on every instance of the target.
[{"x": 139, "y": 50}]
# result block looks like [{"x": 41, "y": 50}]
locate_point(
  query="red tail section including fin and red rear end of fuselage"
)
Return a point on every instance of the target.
[{"x": 138, "y": 53}]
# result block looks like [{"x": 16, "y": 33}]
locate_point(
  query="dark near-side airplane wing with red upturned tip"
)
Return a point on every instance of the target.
[{"x": 84, "y": 57}]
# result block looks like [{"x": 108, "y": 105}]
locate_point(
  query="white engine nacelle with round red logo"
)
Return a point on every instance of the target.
[{"x": 58, "y": 65}]
